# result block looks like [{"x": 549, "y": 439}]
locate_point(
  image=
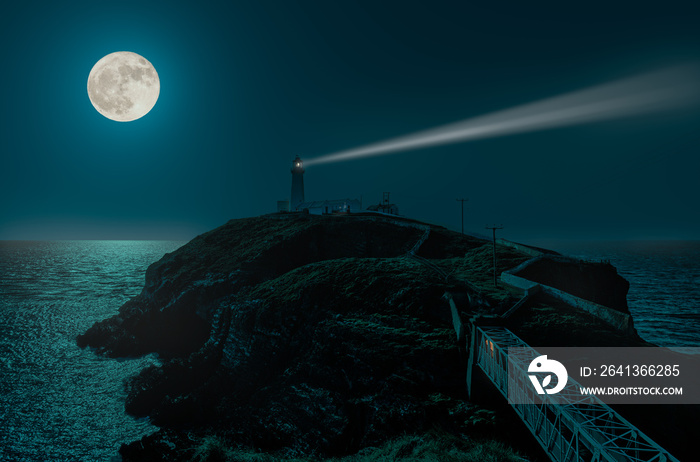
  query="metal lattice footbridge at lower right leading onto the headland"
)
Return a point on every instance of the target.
[{"x": 569, "y": 426}]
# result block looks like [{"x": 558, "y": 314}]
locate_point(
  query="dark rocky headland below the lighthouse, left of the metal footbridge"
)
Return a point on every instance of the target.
[{"x": 306, "y": 335}]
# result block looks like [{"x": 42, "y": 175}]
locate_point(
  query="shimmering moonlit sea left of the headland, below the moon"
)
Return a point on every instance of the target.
[{"x": 58, "y": 402}]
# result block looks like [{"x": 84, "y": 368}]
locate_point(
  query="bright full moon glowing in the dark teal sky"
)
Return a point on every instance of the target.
[{"x": 123, "y": 86}]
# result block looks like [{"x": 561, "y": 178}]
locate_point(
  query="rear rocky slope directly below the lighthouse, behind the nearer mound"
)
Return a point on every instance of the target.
[{"x": 174, "y": 312}]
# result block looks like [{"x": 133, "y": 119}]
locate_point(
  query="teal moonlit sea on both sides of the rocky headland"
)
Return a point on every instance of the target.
[{"x": 62, "y": 403}]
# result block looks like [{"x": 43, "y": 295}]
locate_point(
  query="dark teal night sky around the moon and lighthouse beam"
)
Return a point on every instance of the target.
[{"x": 247, "y": 86}]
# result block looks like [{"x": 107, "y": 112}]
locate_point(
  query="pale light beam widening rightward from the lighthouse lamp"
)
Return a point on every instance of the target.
[{"x": 647, "y": 93}]
